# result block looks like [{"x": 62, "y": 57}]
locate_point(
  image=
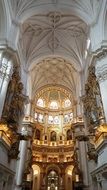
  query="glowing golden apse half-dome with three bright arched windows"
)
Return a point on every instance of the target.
[{"x": 54, "y": 98}]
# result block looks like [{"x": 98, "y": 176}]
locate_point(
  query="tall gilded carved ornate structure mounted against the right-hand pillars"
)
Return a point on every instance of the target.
[{"x": 93, "y": 108}]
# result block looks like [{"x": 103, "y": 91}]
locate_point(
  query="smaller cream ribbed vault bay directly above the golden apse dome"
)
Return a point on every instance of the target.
[{"x": 54, "y": 71}]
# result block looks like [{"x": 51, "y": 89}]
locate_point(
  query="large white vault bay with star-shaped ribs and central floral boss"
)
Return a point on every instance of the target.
[{"x": 54, "y": 34}]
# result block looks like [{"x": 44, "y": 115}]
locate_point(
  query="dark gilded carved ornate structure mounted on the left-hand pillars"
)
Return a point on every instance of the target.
[{"x": 14, "y": 102}]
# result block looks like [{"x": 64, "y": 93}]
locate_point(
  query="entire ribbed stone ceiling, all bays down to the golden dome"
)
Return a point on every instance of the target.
[{"x": 53, "y": 38}]
